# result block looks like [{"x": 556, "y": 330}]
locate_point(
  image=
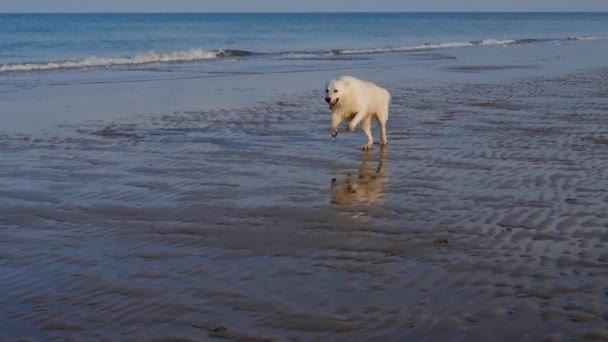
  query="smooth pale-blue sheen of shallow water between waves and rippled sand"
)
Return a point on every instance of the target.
[{"x": 32, "y": 102}]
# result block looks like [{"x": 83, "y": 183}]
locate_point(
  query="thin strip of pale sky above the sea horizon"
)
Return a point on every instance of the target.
[{"x": 297, "y": 5}]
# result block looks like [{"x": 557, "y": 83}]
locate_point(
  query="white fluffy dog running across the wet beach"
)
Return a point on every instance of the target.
[{"x": 358, "y": 101}]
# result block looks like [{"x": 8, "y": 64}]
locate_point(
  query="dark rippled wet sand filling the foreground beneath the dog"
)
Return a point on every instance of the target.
[{"x": 484, "y": 219}]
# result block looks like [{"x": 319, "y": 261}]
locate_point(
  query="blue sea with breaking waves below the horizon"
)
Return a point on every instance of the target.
[{"x": 33, "y": 42}]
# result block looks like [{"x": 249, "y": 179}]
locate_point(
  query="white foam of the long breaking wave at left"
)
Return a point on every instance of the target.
[{"x": 96, "y": 62}]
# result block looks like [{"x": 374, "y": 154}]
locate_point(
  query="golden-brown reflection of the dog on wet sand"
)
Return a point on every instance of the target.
[{"x": 366, "y": 187}]
